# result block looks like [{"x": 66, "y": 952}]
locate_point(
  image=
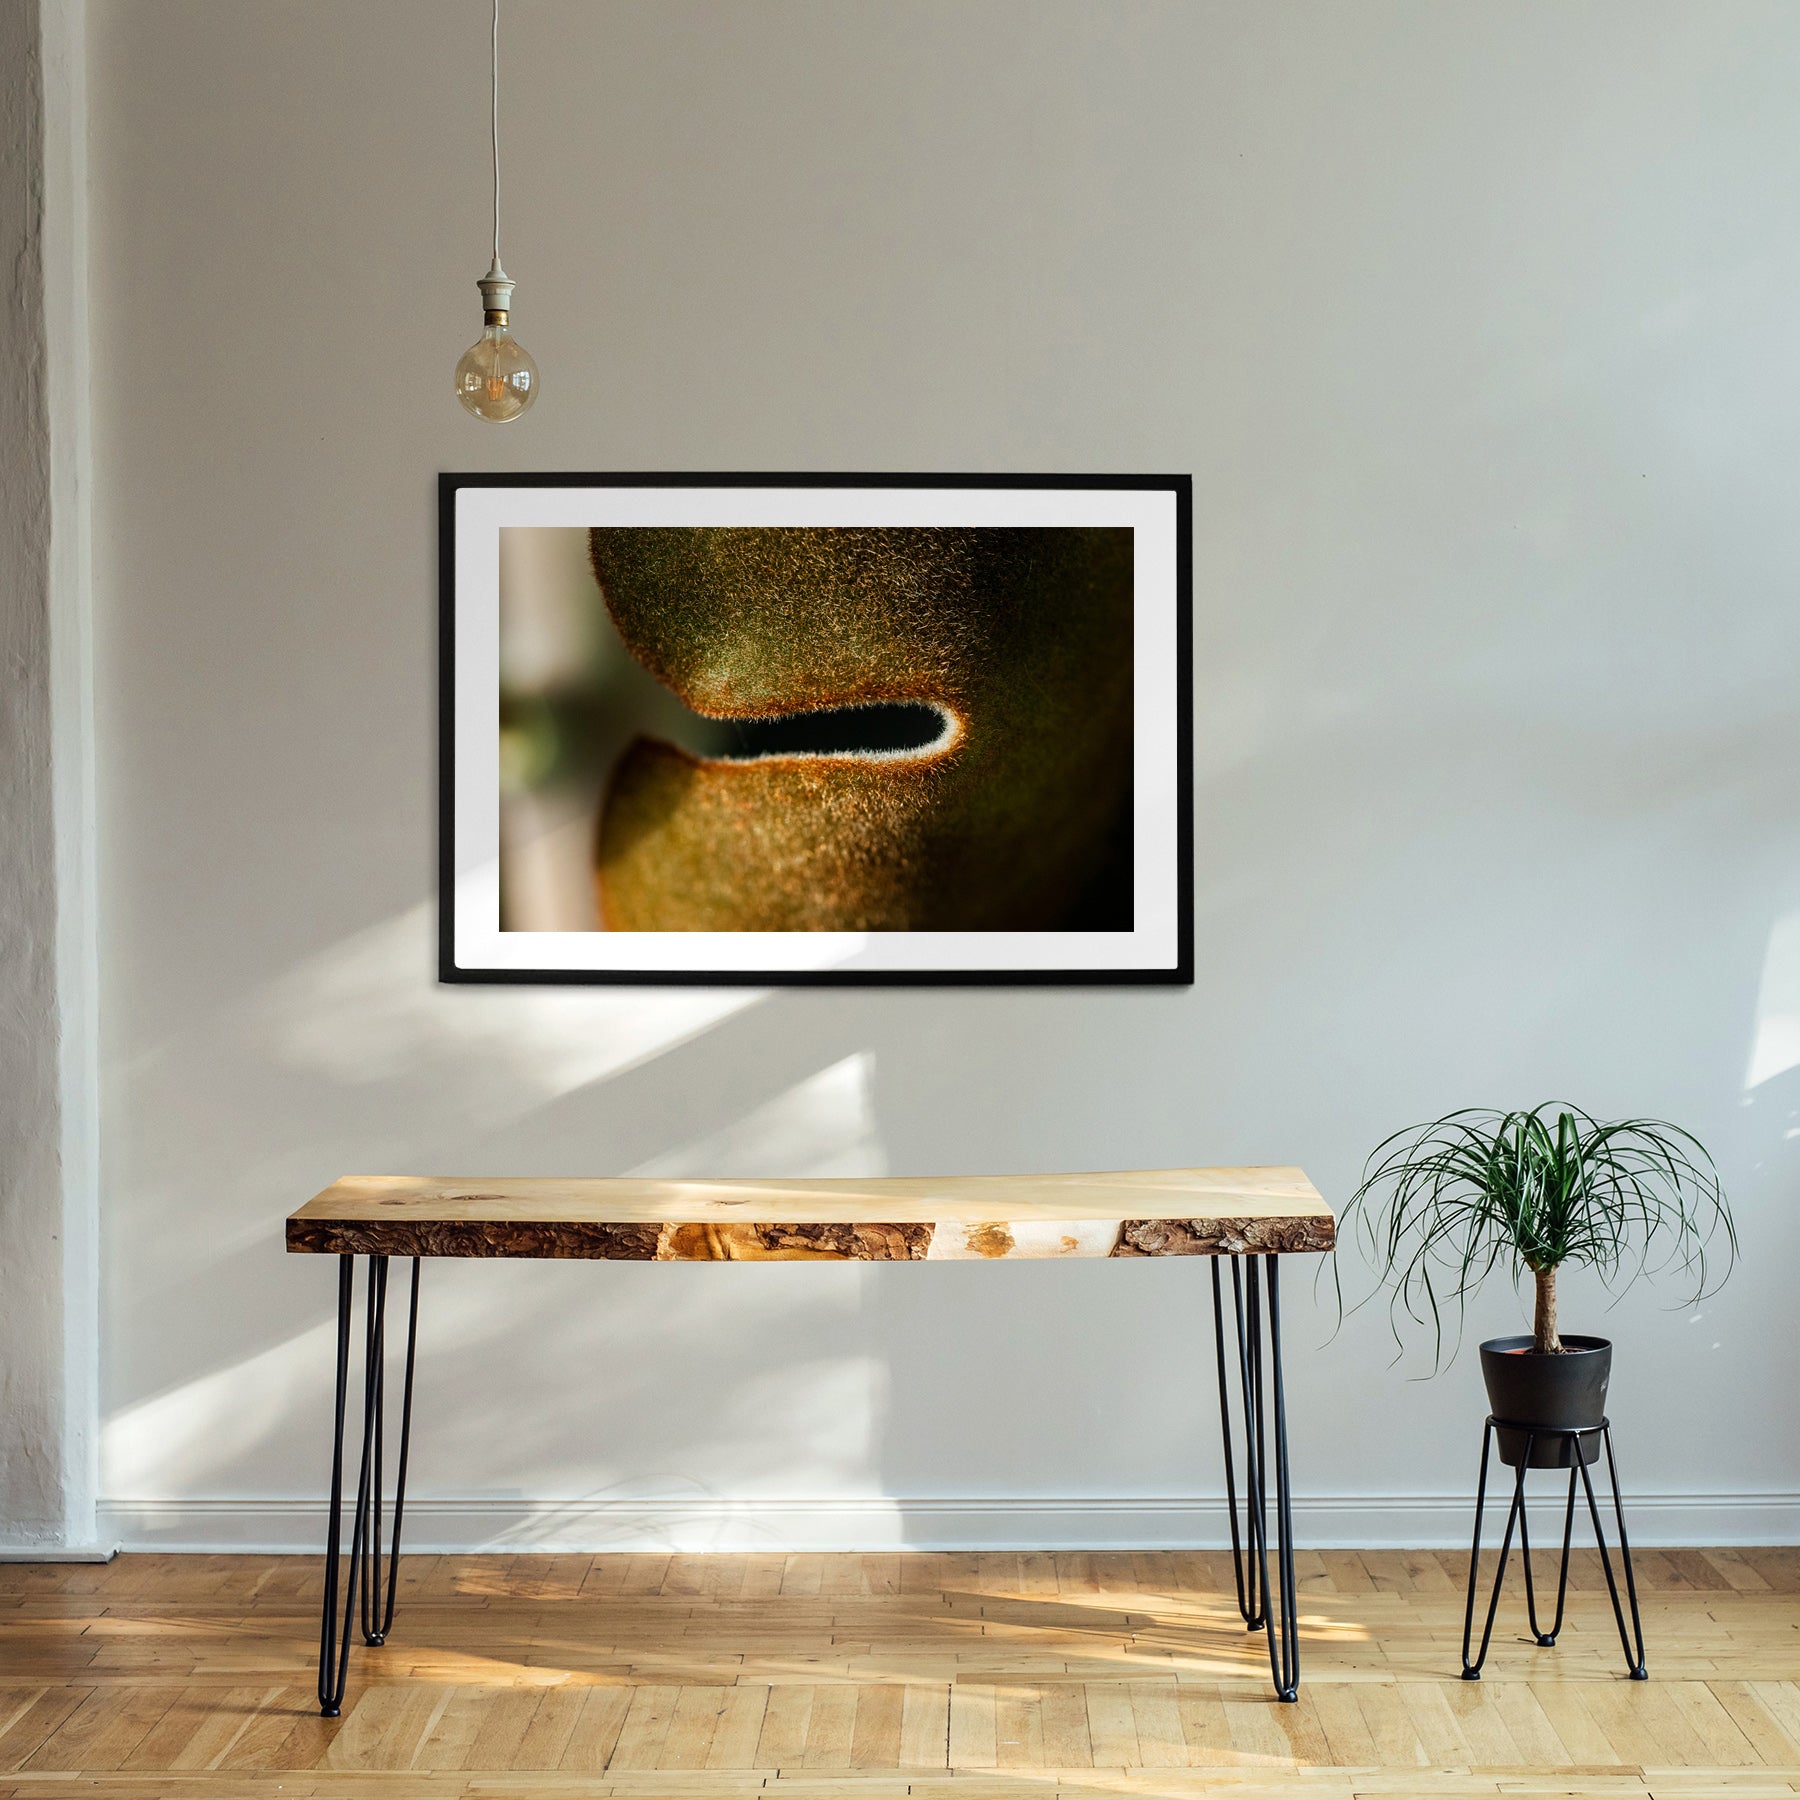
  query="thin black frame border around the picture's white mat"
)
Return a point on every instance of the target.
[{"x": 1180, "y": 973}]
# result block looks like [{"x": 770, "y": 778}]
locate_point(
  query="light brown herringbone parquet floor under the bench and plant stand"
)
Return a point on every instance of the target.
[{"x": 874, "y": 1677}]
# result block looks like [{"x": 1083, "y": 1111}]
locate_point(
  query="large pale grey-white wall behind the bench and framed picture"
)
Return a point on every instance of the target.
[{"x": 1477, "y": 328}]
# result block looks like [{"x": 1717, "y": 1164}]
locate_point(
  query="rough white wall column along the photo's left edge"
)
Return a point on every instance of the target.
[{"x": 48, "y": 1165}]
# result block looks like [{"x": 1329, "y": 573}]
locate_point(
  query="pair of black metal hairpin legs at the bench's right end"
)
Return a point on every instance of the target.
[{"x": 1250, "y": 1549}]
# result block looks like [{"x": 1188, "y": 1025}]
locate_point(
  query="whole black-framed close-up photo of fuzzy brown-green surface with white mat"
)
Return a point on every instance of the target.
[{"x": 816, "y": 730}]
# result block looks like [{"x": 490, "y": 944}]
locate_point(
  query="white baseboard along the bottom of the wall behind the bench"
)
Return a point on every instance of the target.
[{"x": 1358, "y": 1522}]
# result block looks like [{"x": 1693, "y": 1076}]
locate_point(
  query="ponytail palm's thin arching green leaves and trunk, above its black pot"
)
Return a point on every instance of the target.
[{"x": 1446, "y": 1205}]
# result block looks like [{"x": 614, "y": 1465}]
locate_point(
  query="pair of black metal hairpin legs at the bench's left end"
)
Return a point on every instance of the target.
[{"x": 366, "y": 1570}]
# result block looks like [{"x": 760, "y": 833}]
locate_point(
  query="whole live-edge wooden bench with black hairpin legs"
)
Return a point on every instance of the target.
[{"x": 1243, "y": 1218}]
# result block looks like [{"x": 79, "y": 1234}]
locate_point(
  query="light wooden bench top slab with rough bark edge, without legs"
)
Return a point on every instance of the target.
[{"x": 1160, "y": 1212}]
